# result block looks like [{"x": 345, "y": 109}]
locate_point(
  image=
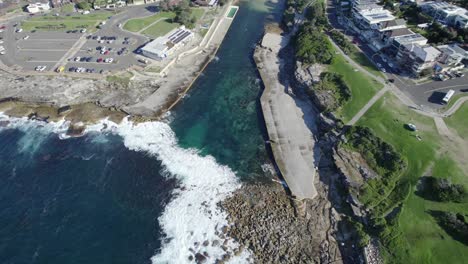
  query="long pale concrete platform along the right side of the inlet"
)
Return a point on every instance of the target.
[{"x": 291, "y": 140}]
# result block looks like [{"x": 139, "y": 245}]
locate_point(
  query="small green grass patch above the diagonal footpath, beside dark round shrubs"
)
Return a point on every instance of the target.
[{"x": 361, "y": 86}]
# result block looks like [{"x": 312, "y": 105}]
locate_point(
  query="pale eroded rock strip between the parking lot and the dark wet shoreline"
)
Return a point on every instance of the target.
[{"x": 61, "y": 90}]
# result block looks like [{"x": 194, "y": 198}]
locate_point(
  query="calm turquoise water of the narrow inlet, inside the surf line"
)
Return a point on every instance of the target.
[{"x": 221, "y": 116}]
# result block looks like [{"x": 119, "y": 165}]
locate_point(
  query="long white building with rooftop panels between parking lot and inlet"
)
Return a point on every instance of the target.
[{"x": 162, "y": 47}]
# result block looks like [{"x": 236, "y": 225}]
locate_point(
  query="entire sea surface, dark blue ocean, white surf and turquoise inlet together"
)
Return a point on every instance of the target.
[{"x": 139, "y": 193}]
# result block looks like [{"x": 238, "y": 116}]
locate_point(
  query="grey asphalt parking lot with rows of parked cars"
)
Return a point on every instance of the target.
[{"x": 109, "y": 49}]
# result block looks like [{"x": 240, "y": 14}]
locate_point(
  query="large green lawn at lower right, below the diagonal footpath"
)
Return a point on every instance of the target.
[{"x": 422, "y": 240}]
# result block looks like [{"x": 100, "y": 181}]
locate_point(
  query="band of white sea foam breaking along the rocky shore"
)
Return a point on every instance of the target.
[{"x": 192, "y": 221}]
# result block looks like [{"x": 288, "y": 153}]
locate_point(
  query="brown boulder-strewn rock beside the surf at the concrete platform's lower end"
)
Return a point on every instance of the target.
[{"x": 276, "y": 230}]
